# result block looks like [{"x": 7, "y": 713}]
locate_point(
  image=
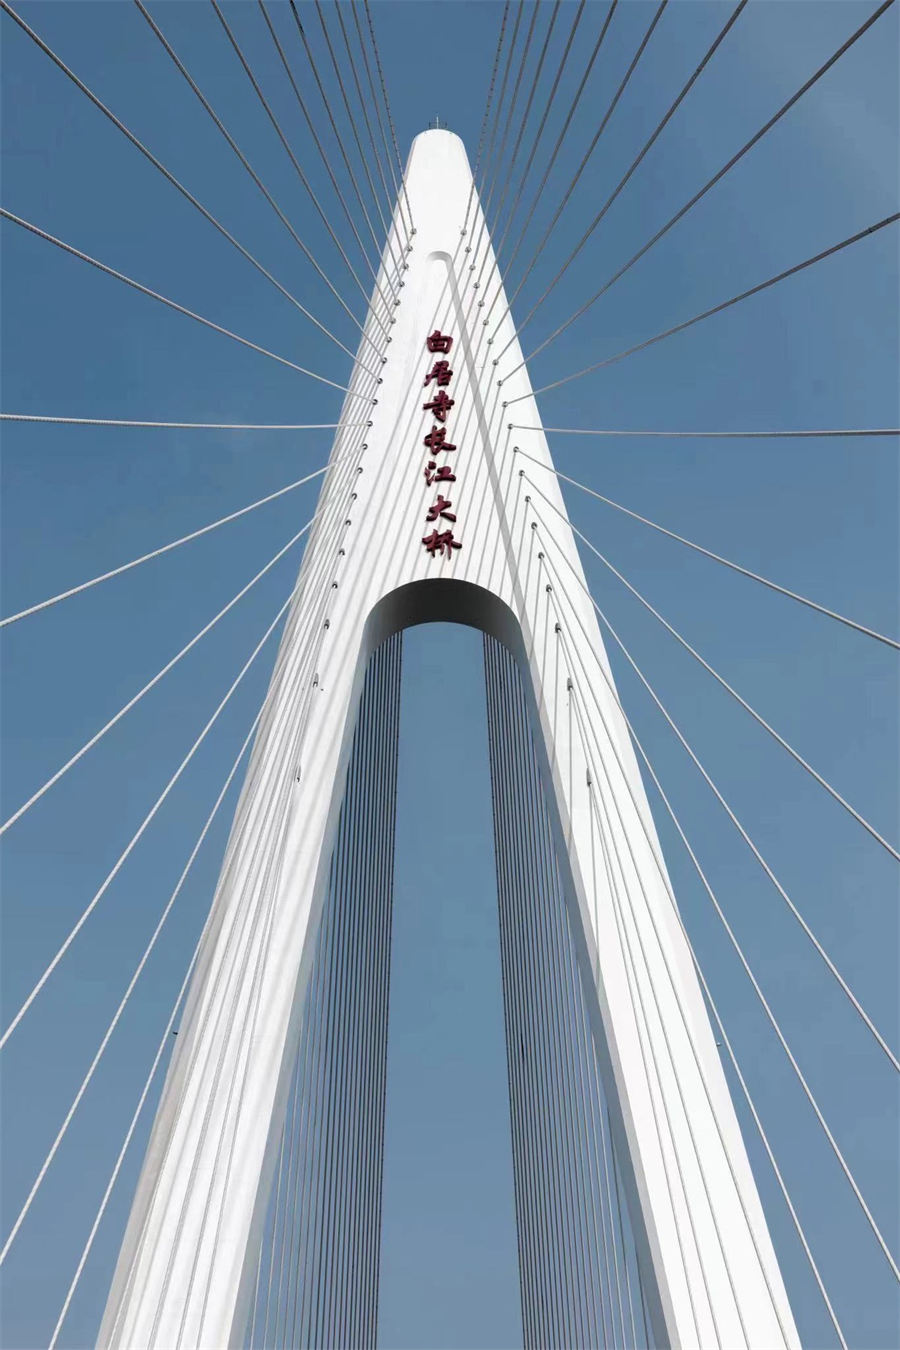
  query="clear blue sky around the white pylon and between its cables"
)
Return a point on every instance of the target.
[{"x": 820, "y": 516}]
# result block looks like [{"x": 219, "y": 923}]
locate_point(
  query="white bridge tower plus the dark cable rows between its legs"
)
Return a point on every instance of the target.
[{"x": 427, "y": 515}]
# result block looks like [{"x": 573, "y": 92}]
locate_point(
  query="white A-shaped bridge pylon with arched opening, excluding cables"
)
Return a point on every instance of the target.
[{"x": 187, "y": 1270}]
